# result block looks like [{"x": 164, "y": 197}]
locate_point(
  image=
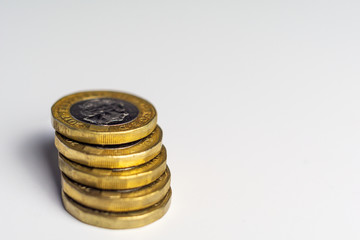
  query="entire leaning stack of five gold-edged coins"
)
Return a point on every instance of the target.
[{"x": 113, "y": 163}]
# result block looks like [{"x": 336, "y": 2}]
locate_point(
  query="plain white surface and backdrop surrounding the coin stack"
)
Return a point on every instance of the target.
[{"x": 258, "y": 100}]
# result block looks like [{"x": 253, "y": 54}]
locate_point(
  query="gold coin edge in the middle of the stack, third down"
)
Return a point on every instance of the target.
[{"x": 113, "y": 179}]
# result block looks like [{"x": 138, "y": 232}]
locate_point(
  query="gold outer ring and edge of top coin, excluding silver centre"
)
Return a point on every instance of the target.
[{"x": 66, "y": 124}]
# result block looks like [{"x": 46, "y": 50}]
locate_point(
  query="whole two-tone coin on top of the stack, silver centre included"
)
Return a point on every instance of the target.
[{"x": 103, "y": 117}]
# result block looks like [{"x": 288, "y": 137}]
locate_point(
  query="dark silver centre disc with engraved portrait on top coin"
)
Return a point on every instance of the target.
[{"x": 104, "y": 111}]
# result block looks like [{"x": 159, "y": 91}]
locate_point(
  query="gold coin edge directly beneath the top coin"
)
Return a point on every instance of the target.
[{"x": 114, "y": 156}]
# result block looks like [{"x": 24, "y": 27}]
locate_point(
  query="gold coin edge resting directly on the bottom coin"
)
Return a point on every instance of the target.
[{"x": 118, "y": 200}]
